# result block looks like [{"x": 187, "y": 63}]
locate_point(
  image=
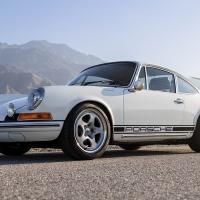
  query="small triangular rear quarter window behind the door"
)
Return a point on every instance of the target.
[{"x": 185, "y": 87}]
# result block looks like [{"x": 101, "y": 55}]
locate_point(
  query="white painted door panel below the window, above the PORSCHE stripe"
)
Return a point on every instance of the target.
[{"x": 152, "y": 108}]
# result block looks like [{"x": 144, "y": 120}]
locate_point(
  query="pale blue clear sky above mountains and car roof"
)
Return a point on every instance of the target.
[{"x": 164, "y": 32}]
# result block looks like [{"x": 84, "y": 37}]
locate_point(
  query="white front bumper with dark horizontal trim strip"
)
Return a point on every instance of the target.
[{"x": 34, "y": 131}]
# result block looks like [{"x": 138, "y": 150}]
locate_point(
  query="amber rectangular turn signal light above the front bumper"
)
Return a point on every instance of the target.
[{"x": 34, "y": 116}]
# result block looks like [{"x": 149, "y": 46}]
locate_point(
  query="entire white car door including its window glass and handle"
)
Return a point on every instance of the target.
[{"x": 158, "y": 104}]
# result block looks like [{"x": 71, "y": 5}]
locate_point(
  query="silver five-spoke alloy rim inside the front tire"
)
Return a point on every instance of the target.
[{"x": 90, "y": 130}]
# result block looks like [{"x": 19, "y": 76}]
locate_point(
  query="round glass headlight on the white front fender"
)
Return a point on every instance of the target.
[{"x": 35, "y": 98}]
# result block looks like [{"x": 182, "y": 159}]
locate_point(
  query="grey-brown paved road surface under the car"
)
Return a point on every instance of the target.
[{"x": 151, "y": 173}]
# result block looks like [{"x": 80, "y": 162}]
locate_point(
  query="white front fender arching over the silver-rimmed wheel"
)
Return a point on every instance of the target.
[{"x": 60, "y": 100}]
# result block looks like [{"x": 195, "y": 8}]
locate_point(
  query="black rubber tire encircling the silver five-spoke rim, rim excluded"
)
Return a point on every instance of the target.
[{"x": 68, "y": 137}]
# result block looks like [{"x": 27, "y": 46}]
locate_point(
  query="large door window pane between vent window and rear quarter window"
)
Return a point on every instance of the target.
[{"x": 160, "y": 80}]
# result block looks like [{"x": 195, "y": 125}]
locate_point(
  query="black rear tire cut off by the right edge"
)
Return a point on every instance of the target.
[{"x": 194, "y": 142}]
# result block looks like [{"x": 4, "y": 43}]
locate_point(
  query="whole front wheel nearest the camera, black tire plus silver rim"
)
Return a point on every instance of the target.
[{"x": 86, "y": 133}]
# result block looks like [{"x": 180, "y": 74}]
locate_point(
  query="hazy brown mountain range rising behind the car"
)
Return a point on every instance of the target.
[{"x": 39, "y": 63}]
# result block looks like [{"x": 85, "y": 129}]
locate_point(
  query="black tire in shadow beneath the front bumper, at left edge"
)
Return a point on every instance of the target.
[{"x": 14, "y": 149}]
